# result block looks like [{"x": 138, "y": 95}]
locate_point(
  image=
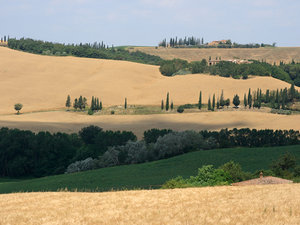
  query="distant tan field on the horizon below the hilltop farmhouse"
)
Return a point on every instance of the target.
[{"x": 271, "y": 55}]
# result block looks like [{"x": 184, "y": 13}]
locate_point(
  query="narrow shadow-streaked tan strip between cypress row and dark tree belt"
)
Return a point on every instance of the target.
[{"x": 73, "y": 122}]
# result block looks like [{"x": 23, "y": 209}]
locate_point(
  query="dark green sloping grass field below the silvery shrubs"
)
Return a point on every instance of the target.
[{"x": 150, "y": 175}]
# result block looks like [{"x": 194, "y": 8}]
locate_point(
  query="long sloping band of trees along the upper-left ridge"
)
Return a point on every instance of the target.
[{"x": 95, "y": 50}]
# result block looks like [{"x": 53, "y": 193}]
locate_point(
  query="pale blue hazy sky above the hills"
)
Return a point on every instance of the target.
[{"x": 146, "y": 22}]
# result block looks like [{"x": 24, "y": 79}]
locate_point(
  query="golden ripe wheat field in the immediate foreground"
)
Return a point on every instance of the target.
[{"x": 266, "y": 204}]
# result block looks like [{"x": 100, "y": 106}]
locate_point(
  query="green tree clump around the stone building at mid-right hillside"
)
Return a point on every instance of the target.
[{"x": 286, "y": 72}]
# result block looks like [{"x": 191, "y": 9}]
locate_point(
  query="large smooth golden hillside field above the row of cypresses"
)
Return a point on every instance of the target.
[{"x": 43, "y": 82}]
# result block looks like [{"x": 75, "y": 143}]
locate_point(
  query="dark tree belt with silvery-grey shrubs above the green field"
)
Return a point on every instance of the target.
[{"x": 28, "y": 154}]
